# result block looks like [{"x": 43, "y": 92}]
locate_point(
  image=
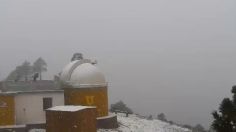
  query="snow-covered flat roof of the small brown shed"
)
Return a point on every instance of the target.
[{"x": 69, "y": 108}]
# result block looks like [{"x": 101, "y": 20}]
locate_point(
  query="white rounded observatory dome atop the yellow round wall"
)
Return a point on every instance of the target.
[{"x": 81, "y": 73}]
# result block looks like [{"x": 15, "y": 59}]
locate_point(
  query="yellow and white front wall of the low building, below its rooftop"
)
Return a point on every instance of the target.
[{"x": 17, "y": 108}]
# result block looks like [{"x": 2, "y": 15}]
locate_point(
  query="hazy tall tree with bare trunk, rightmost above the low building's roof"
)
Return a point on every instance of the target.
[{"x": 40, "y": 66}]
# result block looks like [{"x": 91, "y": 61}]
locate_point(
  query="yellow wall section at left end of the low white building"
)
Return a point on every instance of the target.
[{"x": 7, "y": 110}]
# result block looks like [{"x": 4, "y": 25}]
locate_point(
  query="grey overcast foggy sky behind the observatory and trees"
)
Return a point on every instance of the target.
[{"x": 171, "y": 56}]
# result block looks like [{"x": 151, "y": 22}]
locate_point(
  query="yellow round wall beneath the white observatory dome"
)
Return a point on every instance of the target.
[{"x": 88, "y": 97}]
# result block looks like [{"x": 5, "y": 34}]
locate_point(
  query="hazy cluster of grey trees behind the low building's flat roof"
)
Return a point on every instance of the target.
[{"x": 25, "y": 71}]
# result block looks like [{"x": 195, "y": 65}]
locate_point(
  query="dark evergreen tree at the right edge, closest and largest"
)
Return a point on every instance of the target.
[{"x": 225, "y": 119}]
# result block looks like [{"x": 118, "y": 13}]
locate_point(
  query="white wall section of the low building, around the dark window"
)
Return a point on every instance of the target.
[{"x": 29, "y": 106}]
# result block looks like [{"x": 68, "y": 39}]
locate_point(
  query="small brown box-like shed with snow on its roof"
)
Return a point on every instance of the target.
[{"x": 71, "y": 119}]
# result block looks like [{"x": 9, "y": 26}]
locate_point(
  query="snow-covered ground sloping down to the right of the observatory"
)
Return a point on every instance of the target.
[{"x": 133, "y": 123}]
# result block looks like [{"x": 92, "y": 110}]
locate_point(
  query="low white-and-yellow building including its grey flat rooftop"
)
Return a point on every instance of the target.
[{"x": 25, "y": 103}]
